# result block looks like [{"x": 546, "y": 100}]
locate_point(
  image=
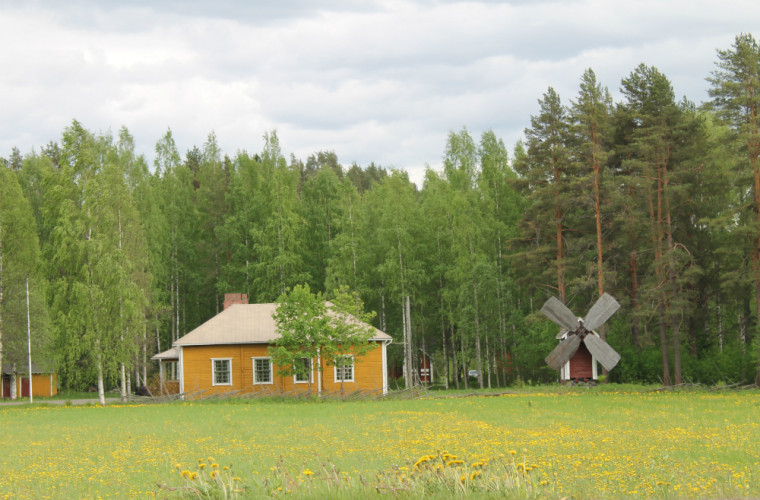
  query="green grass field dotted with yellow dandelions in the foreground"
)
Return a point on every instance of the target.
[{"x": 549, "y": 442}]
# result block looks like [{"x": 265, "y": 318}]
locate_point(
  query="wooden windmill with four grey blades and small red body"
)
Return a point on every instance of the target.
[{"x": 580, "y": 346}]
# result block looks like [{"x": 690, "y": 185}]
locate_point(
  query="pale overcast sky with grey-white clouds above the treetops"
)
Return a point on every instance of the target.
[{"x": 373, "y": 81}]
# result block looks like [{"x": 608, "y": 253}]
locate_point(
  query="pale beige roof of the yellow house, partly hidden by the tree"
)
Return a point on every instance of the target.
[{"x": 243, "y": 324}]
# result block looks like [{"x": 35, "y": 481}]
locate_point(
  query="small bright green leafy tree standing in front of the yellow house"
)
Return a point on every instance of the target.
[{"x": 310, "y": 327}]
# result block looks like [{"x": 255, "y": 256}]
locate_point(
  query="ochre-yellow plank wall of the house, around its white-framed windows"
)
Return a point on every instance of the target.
[{"x": 197, "y": 371}]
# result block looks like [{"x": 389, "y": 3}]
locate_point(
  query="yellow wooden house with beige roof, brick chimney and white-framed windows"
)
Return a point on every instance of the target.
[{"x": 229, "y": 352}]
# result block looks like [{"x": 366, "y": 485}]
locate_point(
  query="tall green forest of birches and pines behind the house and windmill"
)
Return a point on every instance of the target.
[{"x": 653, "y": 199}]
